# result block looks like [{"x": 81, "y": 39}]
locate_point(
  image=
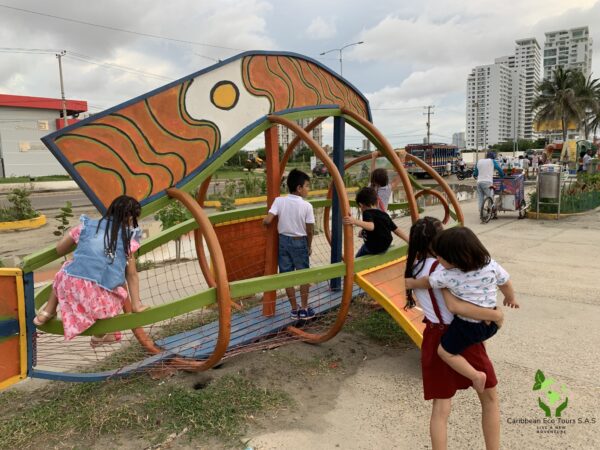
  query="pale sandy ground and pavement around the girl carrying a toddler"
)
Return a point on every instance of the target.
[{"x": 352, "y": 394}]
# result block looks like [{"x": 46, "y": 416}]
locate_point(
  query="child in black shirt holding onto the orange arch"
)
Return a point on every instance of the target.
[{"x": 377, "y": 226}]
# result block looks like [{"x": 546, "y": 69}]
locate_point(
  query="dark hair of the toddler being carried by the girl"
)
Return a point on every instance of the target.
[{"x": 461, "y": 248}]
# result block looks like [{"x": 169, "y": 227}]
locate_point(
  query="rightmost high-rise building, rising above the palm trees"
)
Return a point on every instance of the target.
[{"x": 571, "y": 49}]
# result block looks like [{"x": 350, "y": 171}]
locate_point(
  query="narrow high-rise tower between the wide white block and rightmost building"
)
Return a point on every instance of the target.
[{"x": 528, "y": 59}]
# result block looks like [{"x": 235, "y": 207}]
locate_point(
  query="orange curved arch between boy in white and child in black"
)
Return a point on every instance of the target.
[{"x": 348, "y": 240}]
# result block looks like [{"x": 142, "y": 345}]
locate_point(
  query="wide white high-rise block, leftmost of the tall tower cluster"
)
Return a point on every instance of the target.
[{"x": 495, "y": 104}]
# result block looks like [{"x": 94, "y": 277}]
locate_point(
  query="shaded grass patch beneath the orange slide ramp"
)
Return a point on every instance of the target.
[{"x": 375, "y": 324}]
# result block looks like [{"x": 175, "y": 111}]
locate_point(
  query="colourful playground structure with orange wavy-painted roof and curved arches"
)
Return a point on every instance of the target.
[{"x": 224, "y": 296}]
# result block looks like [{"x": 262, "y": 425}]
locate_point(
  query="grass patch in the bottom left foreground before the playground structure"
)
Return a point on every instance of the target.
[{"x": 83, "y": 412}]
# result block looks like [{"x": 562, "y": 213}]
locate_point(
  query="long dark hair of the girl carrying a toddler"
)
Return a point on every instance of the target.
[{"x": 422, "y": 234}]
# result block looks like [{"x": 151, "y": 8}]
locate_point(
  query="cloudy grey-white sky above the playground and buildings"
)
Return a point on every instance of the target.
[{"x": 414, "y": 53}]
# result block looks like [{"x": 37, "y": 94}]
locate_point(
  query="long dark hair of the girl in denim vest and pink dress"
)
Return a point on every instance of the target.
[{"x": 117, "y": 218}]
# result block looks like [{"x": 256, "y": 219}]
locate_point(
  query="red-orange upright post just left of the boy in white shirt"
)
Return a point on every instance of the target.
[{"x": 273, "y": 183}]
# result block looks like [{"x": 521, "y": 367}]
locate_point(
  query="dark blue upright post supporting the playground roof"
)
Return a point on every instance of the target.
[{"x": 336, "y": 216}]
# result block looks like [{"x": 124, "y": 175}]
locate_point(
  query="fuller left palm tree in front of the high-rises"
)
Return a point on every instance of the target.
[{"x": 558, "y": 99}]
